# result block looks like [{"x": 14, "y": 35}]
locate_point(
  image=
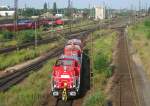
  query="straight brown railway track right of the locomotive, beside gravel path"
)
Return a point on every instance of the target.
[{"x": 125, "y": 93}]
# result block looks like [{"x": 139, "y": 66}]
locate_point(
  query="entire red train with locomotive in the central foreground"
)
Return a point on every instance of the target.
[{"x": 66, "y": 74}]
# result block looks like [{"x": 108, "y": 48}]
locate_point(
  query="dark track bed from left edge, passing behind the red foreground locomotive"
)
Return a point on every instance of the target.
[{"x": 13, "y": 76}]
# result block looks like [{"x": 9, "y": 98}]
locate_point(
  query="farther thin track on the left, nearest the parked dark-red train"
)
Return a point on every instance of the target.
[{"x": 52, "y": 39}]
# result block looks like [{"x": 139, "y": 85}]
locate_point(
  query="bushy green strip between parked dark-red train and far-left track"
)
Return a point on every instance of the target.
[{"x": 21, "y": 37}]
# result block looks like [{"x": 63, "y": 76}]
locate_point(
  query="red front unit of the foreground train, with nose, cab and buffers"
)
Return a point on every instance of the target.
[{"x": 66, "y": 75}]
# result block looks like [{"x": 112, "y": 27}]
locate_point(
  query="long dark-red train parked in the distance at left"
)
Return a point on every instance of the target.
[{"x": 30, "y": 24}]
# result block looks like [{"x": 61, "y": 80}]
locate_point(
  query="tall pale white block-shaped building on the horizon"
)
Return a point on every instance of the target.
[{"x": 100, "y": 12}]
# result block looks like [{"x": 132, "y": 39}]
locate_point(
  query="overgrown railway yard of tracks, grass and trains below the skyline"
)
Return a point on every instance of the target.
[{"x": 83, "y": 62}]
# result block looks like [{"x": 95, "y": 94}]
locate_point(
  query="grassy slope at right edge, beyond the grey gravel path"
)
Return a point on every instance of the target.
[{"x": 140, "y": 36}]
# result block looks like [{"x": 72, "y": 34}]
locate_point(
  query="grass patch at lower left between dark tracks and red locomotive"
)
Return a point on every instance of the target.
[{"x": 30, "y": 92}]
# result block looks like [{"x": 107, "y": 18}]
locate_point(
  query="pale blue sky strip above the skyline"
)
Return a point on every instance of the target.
[{"x": 117, "y": 4}]
